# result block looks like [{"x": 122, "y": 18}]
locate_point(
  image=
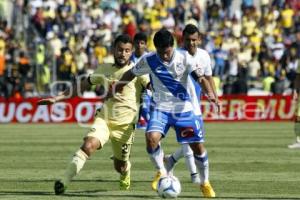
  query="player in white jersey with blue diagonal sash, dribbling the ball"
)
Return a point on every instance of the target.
[{"x": 175, "y": 102}]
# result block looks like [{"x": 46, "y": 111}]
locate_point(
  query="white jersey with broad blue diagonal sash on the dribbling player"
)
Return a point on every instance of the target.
[{"x": 173, "y": 87}]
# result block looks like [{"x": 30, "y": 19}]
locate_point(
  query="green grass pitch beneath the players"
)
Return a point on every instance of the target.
[{"x": 247, "y": 161}]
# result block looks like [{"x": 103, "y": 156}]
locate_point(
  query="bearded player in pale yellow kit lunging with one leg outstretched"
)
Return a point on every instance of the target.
[{"x": 115, "y": 121}]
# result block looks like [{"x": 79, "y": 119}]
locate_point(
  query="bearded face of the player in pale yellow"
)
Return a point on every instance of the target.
[{"x": 122, "y": 53}]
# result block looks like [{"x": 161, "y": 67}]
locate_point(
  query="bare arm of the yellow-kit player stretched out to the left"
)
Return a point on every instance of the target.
[{"x": 68, "y": 93}]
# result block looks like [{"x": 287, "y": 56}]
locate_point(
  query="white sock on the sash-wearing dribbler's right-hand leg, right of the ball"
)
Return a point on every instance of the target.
[{"x": 203, "y": 166}]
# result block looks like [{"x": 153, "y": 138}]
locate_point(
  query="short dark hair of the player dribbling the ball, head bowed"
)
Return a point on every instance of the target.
[{"x": 163, "y": 39}]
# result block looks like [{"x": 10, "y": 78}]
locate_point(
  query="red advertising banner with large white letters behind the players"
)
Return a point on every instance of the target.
[{"x": 234, "y": 108}]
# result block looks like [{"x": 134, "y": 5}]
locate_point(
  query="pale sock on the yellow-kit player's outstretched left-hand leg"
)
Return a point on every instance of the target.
[{"x": 74, "y": 166}]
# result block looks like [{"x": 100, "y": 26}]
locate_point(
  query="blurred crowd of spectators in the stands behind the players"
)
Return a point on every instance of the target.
[{"x": 254, "y": 44}]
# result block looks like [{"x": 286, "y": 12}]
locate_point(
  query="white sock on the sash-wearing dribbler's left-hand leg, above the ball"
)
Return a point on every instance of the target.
[{"x": 157, "y": 159}]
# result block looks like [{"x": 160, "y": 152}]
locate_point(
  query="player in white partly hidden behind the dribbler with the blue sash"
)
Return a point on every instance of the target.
[{"x": 200, "y": 58}]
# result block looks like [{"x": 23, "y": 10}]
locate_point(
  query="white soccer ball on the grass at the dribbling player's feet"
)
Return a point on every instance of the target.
[{"x": 168, "y": 187}]
